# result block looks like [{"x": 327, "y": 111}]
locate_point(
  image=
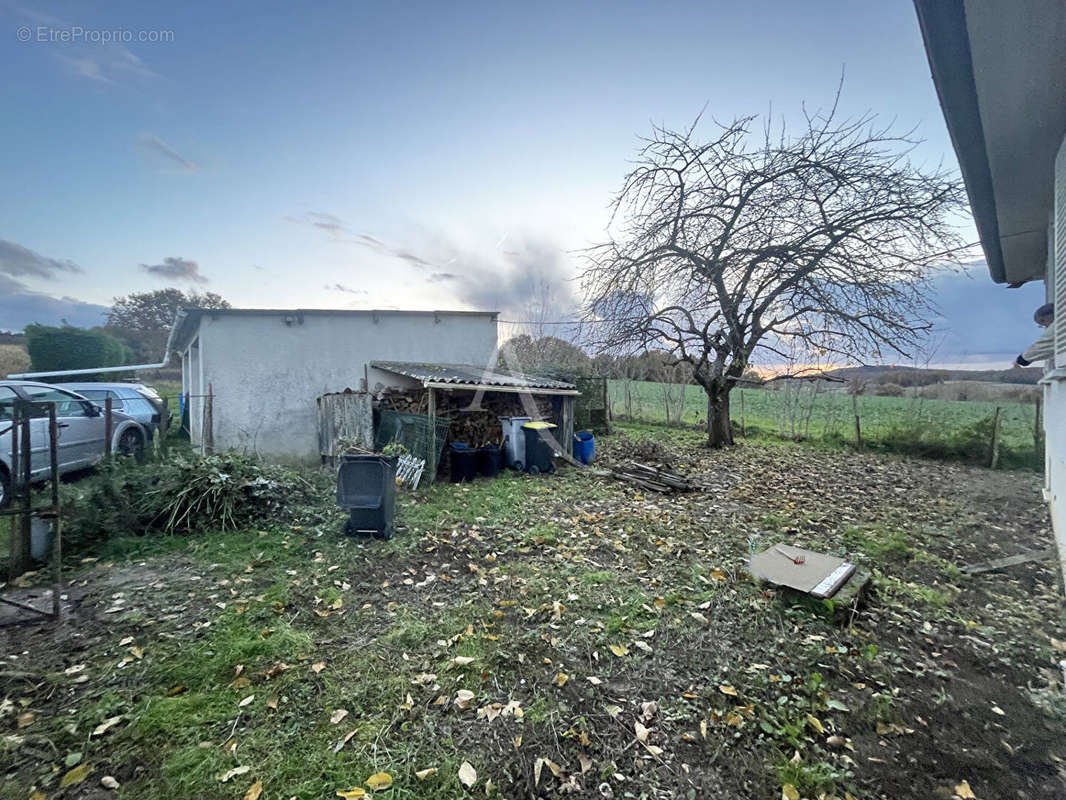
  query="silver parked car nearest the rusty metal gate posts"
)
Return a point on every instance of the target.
[{"x": 83, "y": 431}]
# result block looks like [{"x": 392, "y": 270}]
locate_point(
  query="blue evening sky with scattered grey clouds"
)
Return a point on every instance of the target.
[{"x": 414, "y": 155}]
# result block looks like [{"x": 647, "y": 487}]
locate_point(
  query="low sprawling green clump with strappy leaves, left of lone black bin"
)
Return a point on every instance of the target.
[{"x": 182, "y": 494}]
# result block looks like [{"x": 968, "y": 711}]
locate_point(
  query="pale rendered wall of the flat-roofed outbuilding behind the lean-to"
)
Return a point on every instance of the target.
[{"x": 266, "y": 374}]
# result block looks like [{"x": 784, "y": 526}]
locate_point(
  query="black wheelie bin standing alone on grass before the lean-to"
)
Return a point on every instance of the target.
[{"x": 367, "y": 490}]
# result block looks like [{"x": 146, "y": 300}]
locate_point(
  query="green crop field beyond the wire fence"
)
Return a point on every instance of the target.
[{"x": 909, "y": 425}]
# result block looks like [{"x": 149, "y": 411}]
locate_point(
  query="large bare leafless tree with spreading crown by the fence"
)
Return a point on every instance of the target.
[{"x": 719, "y": 248}]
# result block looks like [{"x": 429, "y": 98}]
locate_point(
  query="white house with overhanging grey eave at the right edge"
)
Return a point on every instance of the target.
[{"x": 1000, "y": 71}]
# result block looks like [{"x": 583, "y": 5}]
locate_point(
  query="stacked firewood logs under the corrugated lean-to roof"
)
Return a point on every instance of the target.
[{"x": 475, "y": 426}]
